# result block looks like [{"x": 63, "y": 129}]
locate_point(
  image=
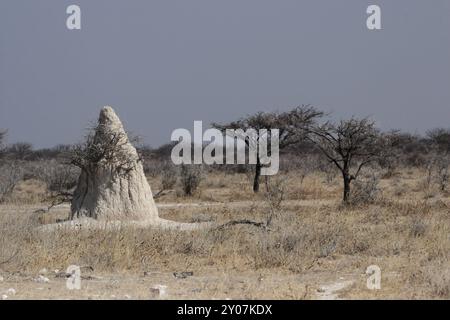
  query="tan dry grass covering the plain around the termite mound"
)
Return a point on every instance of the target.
[{"x": 405, "y": 232}]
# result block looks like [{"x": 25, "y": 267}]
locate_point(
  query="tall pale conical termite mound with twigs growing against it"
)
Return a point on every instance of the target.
[{"x": 112, "y": 184}]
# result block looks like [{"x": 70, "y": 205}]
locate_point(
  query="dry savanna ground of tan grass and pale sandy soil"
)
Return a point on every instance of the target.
[{"x": 314, "y": 244}]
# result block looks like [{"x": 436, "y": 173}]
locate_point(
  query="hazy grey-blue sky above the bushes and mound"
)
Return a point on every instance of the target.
[{"x": 163, "y": 64}]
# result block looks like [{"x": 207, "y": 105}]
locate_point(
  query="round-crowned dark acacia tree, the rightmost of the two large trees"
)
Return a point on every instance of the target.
[{"x": 349, "y": 145}]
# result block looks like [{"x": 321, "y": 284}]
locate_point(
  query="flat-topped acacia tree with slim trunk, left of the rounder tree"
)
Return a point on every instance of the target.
[{"x": 292, "y": 126}]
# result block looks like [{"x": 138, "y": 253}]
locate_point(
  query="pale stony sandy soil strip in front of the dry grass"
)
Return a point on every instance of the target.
[{"x": 213, "y": 285}]
